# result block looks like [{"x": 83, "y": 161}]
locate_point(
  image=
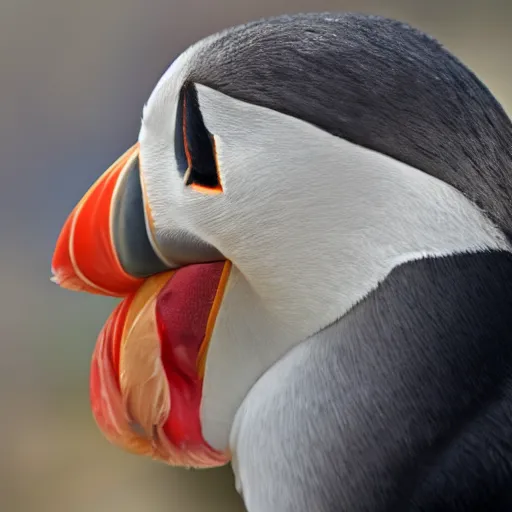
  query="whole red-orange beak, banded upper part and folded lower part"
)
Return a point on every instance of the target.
[{"x": 149, "y": 362}]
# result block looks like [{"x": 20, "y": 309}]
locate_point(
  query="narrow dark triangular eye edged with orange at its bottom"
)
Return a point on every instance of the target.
[{"x": 195, "y": 145}]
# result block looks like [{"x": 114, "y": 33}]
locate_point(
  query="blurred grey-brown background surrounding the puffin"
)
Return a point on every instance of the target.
[{"x": 73, "y": 79}]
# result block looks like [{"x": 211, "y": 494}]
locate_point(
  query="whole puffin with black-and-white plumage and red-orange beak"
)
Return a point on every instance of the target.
[{"x": 311, "y": 243}]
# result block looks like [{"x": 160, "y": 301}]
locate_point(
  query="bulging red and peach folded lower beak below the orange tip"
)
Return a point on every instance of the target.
[{"x": 148, "y": 366}]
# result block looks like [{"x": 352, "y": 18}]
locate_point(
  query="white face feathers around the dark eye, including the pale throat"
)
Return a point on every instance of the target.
[{"x": 311, "y": 222}]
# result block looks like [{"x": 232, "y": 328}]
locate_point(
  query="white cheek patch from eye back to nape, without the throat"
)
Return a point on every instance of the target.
[{"x": 301, "y": 202}]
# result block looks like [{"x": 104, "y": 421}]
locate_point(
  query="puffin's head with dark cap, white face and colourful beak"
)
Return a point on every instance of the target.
[{"x": 282, "y": 169}]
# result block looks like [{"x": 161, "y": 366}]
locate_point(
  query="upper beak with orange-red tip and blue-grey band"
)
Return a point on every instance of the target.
[{"x": 105, "y": 246}]
